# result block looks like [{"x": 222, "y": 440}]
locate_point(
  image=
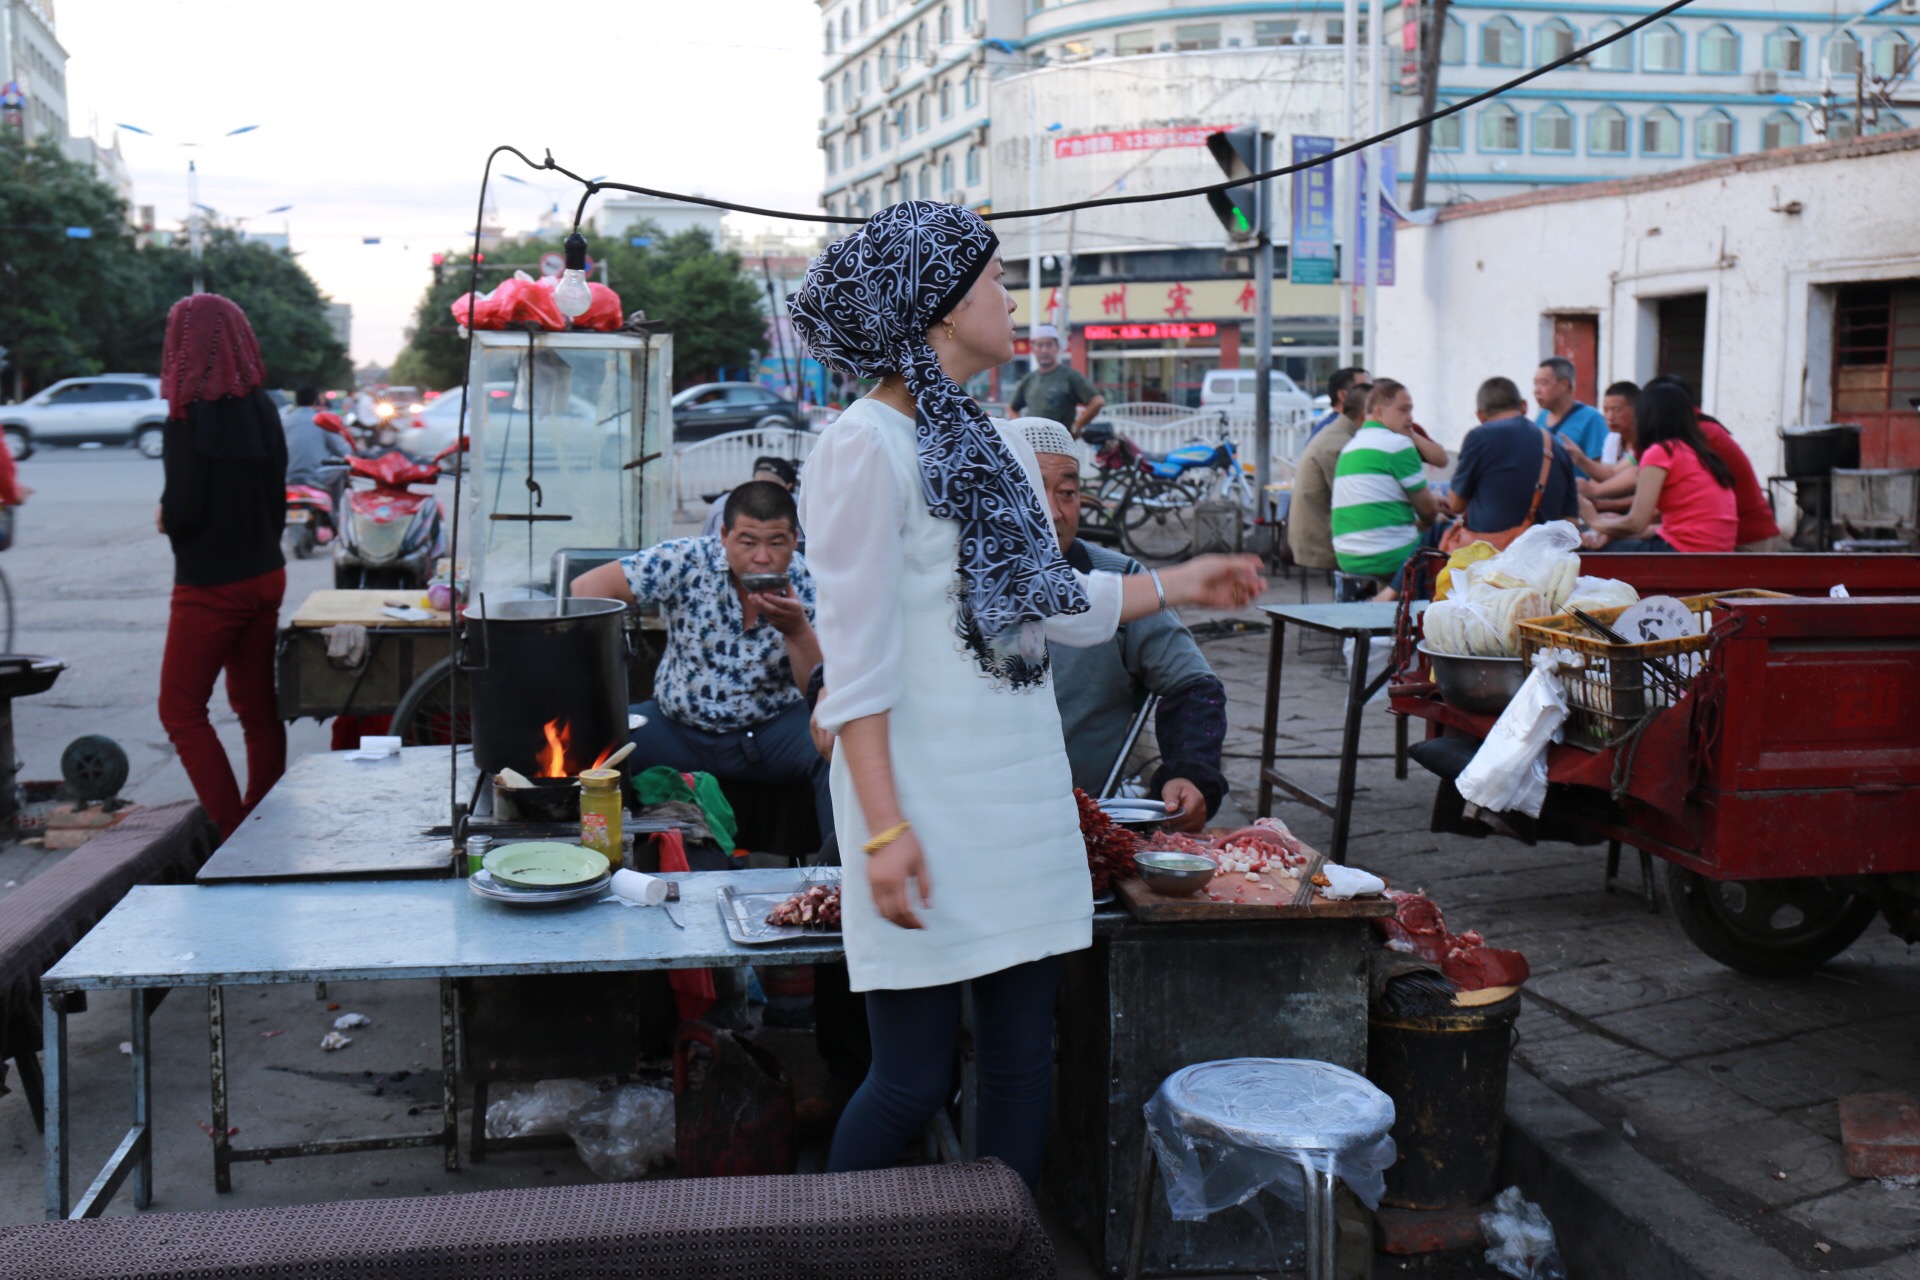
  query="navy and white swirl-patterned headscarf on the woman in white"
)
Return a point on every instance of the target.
[{"x": 865, "y": 310}]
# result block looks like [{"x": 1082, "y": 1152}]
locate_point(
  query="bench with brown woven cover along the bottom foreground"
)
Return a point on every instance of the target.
[{"x": 928, "y": 1223}]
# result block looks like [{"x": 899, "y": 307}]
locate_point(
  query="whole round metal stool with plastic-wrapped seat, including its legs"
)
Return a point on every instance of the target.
[{"x": 1314, "y": 1116}]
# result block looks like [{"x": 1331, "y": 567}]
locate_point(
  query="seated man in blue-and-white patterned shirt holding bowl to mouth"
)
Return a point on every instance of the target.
[{"x": 731, "y": 692}]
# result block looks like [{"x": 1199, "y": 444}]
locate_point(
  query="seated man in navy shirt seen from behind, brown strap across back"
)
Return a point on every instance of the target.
[{"x": 1499, "y": 483}]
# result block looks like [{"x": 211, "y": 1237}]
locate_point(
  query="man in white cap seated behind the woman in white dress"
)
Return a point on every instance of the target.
[{"x": 1099, "y": 690}]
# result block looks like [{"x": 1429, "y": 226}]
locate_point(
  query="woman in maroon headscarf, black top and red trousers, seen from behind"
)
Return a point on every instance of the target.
[{"x": 224, "y": 511}]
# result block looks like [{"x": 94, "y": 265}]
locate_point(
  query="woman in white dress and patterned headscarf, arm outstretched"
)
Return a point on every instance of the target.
[{"x": 940, "y": 584}]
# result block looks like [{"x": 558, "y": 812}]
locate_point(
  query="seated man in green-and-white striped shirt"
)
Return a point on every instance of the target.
[{"x": 1380, "y": 492}]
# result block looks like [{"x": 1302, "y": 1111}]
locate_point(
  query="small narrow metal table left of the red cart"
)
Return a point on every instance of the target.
[{"x": 1362, "y": 625}]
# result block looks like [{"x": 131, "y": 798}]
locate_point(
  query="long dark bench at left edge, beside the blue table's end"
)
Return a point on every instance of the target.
[{"x": 51, "y": 913}]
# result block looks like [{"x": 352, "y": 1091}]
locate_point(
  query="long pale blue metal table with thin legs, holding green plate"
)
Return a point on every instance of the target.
[{"x": 228, "y": 936}]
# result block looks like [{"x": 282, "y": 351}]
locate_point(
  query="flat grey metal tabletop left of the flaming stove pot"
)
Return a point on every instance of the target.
[{"x": 331, "y": 818}]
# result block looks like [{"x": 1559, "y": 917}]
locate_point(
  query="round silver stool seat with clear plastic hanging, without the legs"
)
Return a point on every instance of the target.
[{"x": 1232, "y": 1129}]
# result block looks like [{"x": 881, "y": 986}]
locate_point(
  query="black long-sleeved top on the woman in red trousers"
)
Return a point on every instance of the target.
[{"x": 226, "y": 498}]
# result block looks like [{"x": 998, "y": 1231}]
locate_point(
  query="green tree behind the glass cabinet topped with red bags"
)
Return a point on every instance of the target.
[{"x": 700, "y": 293}]
